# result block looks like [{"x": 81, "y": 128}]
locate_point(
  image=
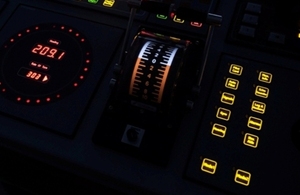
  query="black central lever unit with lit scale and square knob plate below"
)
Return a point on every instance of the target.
[{"x": 142, "y": 114}]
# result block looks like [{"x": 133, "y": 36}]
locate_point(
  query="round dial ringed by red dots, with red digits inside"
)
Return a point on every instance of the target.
[{"x": 43, "y": 63}]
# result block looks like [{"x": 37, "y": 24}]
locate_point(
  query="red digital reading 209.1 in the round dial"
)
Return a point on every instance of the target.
[{"x": 48, "y": 51}]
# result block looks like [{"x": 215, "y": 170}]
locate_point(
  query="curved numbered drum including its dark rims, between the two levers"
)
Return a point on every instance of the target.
[{"x": 151, "y": 71}]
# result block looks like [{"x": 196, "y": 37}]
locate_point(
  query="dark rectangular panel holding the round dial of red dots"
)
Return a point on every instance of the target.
[{"x": 48, "y": 71}]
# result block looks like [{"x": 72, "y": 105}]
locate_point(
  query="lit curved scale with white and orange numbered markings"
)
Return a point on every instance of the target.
[{"x": 151, "y": 71}]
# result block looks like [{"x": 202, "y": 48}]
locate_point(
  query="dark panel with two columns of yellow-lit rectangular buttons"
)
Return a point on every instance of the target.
[{"x": 241, "y": 122}]
